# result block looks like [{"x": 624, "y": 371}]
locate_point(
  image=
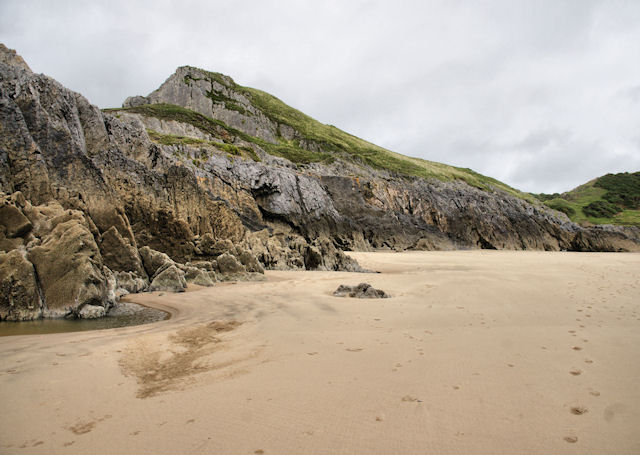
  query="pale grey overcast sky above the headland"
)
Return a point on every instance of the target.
[{"x": 542, "y": 95}]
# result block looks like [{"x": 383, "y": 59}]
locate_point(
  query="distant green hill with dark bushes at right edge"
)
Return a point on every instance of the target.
[{"x": 610, "y": 199}]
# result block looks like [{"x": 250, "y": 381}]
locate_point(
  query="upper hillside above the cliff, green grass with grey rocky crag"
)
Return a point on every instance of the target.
[{"x": 328, "y": 142}]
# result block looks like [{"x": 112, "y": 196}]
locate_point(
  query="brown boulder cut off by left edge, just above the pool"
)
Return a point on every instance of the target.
[{"x": 19, "y": 296}]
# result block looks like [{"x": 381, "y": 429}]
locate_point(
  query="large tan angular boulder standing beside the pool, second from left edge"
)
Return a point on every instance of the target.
[{"x": 69, "y": 267}]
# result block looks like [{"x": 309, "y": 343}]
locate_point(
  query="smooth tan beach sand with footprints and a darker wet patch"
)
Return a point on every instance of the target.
[{"x": 476, "y": 352}]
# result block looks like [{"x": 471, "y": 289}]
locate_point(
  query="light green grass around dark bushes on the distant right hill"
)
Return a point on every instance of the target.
[{"x": 586, "y": 194}]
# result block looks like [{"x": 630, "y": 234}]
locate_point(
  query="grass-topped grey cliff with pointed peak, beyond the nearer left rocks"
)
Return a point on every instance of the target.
[{"x": 333, "y": 185}]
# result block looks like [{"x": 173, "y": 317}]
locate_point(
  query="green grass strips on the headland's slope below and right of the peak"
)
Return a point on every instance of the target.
[{"x": 334, "y": 141}]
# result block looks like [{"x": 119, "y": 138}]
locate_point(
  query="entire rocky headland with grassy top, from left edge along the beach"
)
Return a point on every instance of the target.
[{"x": 205, "y": 181}]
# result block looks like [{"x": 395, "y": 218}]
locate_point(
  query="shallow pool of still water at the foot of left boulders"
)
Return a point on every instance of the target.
[{"x": 125, "y": 314}]
